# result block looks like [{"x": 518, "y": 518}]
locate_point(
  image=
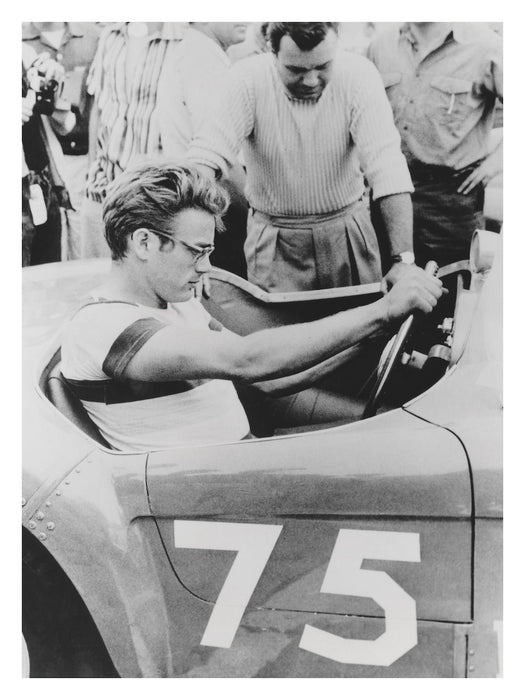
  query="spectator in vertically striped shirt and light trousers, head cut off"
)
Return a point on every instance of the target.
[{"x": 123, "y": 81}]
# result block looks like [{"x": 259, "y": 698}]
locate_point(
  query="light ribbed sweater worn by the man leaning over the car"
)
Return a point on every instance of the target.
[{"x": 305, "y": 157}]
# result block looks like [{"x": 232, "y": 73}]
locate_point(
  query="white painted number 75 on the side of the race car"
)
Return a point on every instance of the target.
[{"x": 344, "y": 576}]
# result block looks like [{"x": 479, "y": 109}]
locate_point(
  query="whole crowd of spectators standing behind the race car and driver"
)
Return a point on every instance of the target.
[{"x": 98, "y": 97}]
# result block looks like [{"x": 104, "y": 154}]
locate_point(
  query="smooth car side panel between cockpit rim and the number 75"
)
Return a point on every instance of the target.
[{"x": 391, "y": 465}]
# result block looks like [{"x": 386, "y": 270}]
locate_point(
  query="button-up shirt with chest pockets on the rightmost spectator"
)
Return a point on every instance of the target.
[{"x": 444, "y": 104}]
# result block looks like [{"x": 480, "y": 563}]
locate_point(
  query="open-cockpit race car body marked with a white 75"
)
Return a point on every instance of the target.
[{"x": 368, "y": 548}]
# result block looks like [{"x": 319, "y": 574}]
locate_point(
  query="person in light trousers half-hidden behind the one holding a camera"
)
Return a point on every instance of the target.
[{"x": 72, "y": 45}]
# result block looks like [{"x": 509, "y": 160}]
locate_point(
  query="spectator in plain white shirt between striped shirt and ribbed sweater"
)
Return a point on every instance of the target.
[{"x": 189, "y": 89}]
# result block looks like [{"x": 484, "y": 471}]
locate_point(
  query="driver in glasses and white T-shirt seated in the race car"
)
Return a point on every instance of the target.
[{"x": 152, "y": 368}]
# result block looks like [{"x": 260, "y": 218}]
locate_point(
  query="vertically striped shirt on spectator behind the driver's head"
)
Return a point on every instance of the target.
[{"x": 124, "y": 78}]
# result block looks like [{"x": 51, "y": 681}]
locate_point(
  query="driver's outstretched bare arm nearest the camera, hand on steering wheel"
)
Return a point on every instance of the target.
[{"x": 277, "y": 352}]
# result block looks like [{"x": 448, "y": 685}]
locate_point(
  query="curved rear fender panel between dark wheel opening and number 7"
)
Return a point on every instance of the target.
[{"x": 94, "y": 522}]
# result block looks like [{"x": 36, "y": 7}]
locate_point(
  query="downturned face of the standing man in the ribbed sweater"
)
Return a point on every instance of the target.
[{"x": 305, "y": 74}]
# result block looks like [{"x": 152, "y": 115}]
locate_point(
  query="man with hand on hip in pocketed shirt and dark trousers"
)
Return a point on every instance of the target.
[{"x": 443, "y": 80}]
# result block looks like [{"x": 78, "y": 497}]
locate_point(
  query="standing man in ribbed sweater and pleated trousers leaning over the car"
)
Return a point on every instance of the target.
[{"x": 310, "y": 120}]
